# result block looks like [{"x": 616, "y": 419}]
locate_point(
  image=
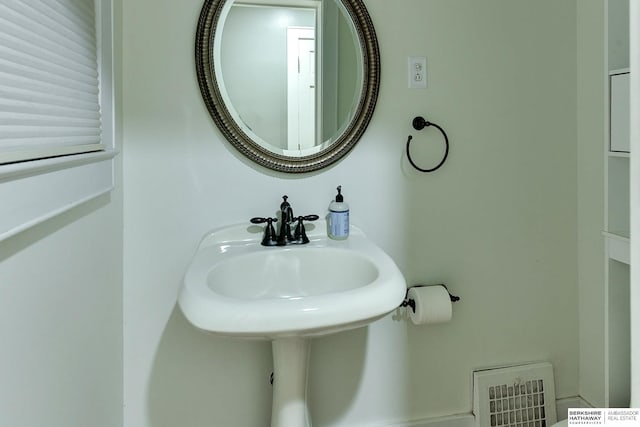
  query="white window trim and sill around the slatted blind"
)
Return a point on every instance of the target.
[{"x": 36, "y": 190}]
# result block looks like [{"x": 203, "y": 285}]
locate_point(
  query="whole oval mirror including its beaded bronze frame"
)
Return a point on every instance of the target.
[{"x": 291, "y": 84}]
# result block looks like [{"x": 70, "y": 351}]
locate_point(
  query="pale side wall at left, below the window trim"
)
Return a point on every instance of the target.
[{"x": 60, "y": 321}]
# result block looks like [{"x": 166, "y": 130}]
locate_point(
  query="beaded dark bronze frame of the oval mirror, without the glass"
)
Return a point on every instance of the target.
[{"x": 208, "y": 82}]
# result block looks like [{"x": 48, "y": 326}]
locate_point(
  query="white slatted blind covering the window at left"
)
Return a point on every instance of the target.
[{"x": 49, "y": 79}]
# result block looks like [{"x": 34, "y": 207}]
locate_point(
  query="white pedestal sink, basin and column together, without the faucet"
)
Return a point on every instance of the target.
[{"x": 236, "y": 287}]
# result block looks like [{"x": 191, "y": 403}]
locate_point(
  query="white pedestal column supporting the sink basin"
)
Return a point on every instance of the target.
[{"x": 290, "y": 362}]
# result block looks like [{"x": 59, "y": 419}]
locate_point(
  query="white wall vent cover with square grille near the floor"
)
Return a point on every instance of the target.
[{"x": 515, "y": 396}]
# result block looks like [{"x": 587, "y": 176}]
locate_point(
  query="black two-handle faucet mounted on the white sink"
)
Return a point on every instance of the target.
[{"x": 284, "y": 236}]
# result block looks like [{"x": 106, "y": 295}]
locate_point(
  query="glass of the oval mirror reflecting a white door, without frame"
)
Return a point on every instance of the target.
[{"x": 290, "y": 72}]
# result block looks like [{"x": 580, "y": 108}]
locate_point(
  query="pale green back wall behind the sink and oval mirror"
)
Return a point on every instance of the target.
[{"x": 498, "y": 223}]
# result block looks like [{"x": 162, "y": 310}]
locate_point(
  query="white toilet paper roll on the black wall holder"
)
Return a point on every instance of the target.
[{"x": 433, "y": 305}]
